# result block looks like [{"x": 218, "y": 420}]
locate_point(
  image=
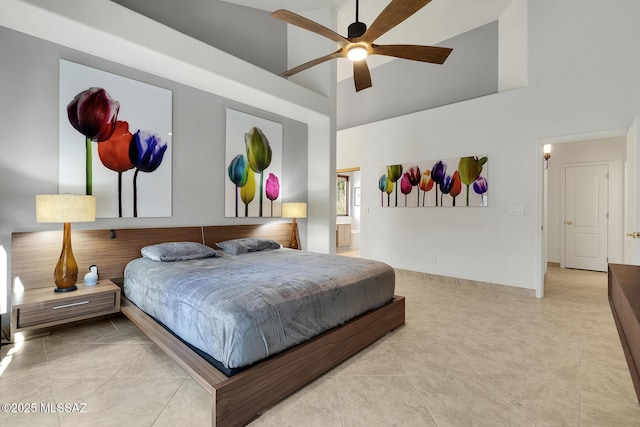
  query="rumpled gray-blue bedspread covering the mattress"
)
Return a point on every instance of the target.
[{"x": 245, "y": 308}]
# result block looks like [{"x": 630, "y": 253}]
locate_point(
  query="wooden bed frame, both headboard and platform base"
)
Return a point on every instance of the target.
[{"x": 238, "y": 399}]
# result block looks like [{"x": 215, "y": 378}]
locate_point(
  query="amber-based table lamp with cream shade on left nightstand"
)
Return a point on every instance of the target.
[{"x": 65, "y": 208}]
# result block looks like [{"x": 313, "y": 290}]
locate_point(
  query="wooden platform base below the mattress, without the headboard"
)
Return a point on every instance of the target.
[{"x": 239, "y": 399}]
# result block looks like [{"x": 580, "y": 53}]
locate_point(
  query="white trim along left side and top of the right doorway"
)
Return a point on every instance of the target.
[{"x": 541, "y": 241}]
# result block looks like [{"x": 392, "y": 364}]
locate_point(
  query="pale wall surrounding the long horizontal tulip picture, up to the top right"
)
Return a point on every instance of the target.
[{"x": 570, "y": 92}]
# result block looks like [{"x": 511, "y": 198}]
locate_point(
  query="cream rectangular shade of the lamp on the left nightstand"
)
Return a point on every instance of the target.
[{"x": 65, "y": 208}]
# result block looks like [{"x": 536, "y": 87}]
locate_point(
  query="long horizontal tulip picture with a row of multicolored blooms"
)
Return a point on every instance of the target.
[{"x": 451, "y": 182}]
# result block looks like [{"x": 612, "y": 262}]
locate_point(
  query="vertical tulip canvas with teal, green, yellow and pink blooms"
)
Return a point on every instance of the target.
[{"x": 253, "y": 174}]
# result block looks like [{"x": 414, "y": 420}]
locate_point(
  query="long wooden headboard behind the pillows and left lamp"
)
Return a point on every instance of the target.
[{"x": 34, "y": 254}]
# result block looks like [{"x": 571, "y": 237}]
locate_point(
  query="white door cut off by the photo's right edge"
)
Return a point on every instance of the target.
[{"x": 631, "y": 220}]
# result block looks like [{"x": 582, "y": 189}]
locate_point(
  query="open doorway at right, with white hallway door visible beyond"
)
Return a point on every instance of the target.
[{"x": 607, "y": 149}]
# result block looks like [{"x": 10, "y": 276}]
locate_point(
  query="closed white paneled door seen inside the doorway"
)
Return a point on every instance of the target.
[{"x": 586, "y": 212}]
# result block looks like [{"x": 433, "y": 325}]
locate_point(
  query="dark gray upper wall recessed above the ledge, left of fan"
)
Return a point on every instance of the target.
[{"x": 243, "y": 32}]
